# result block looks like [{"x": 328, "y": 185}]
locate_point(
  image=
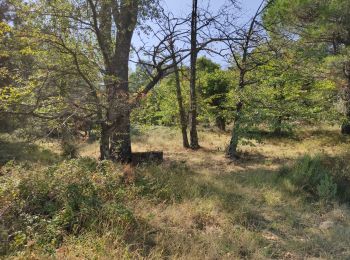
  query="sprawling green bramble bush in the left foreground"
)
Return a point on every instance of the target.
[{"x": 41, "y": 205}]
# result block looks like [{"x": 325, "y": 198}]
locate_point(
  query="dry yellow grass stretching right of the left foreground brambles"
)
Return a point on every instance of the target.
[{"x": 231, "y": 210}]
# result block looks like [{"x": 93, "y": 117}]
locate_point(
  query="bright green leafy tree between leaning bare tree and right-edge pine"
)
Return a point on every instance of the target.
[{"x": 287, "y": 94}]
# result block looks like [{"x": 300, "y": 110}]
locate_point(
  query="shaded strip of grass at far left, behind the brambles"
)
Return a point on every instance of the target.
[{"x": 23, "y": 151}]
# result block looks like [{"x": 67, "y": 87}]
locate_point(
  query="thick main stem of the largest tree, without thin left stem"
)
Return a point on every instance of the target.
[{"x": 119, "y": 109}]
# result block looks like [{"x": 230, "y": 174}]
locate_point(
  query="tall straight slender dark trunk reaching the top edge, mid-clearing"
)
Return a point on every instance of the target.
[{"x": 193, "y": 95}]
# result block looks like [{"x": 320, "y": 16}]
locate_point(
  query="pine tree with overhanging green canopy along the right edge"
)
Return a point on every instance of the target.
[{"x": 320, "y": 25}]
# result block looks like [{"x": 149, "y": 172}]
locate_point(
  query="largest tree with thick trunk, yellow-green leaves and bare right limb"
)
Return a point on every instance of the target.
[{"x": 93, "y": 42}]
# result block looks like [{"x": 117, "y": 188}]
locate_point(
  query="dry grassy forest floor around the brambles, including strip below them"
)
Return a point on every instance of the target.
[{"x": 204, "y": 206}]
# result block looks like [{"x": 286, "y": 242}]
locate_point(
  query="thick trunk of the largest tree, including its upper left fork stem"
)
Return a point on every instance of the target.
[{"x": 116, "y": 133}]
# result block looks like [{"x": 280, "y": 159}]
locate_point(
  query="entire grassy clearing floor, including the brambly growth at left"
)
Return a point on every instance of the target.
[{"x": 196, "y": 205}]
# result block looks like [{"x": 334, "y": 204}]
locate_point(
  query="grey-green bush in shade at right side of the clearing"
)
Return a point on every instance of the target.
[{"x": 312, "y": 175}]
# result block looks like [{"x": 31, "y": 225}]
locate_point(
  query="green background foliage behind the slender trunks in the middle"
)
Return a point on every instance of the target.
[{"x": 161, "y": 108}]
